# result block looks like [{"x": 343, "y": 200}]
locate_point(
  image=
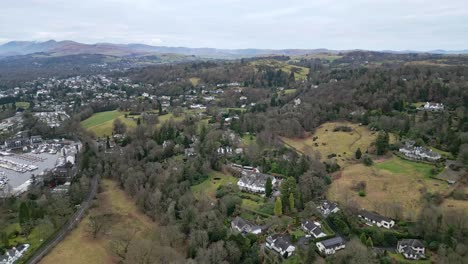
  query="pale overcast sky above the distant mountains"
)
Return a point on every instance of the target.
[{"x": 347, "y": 24}]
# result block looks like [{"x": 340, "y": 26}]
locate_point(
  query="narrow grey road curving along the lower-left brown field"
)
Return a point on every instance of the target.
[{"x": 66, "y": 228}]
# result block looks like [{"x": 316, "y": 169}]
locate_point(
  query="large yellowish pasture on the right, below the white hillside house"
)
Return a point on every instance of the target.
[{"x": 394, "y": 187}]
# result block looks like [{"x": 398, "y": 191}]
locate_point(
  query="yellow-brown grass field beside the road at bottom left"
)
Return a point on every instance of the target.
[{"x": 79, "y": 247}]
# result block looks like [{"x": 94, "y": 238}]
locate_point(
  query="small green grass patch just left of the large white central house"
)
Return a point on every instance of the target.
[{"x": 210, "y": 185}]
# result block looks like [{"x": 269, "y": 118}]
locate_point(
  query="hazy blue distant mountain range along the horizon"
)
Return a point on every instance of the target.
[{"x": 67, "y": 47}]
